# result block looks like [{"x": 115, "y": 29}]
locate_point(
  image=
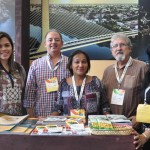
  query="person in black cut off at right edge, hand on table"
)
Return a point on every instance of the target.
[{"x": 144, "y": 138}]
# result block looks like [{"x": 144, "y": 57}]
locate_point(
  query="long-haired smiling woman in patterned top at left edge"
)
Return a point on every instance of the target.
[{"x": 12, "y": 77}]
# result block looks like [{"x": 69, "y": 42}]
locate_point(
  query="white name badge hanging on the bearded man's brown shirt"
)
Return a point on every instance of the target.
[{"x": 117, "y": 96}]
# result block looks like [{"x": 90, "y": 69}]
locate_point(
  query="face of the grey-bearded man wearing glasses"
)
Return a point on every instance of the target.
[{"x": 120, "y": 49}]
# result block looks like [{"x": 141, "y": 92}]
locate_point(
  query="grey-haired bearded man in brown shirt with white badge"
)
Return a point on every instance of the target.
[{"x": 122, "y": 81}]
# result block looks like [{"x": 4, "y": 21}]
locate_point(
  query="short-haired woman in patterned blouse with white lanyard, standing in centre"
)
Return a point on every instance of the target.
[{"x": 81, "y": 91}]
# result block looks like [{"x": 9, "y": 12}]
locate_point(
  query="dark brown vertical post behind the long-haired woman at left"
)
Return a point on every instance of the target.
[{"x": 22, "y": 32}]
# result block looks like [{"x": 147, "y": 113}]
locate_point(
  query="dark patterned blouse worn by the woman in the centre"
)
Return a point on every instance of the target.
[{"x": 93, "y": 99}]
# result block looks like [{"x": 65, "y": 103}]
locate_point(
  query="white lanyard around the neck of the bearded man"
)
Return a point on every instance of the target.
[{"x": 124, "y": 72}]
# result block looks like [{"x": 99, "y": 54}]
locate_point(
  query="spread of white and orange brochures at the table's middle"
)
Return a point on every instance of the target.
[{"x": 61, "y": 125}]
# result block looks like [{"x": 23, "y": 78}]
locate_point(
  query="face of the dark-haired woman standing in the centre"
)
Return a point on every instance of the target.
[{"x": 79, "y": 65}]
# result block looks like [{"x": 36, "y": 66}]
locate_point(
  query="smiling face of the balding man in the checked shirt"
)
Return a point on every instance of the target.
[{"x": 53, "y": 42}]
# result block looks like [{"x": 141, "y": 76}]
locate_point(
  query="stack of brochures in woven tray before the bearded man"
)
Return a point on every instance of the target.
[{"x": 109, "y": 124}]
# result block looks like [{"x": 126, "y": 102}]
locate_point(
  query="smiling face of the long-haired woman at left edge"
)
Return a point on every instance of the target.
[{"x": 5, "y": 49}]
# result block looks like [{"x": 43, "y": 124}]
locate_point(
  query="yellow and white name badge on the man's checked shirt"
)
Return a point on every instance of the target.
[{"x": 51, "y": 84}]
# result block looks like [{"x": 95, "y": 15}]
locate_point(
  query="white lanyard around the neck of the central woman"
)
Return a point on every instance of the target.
[{"x": 78, "y": 97}]
